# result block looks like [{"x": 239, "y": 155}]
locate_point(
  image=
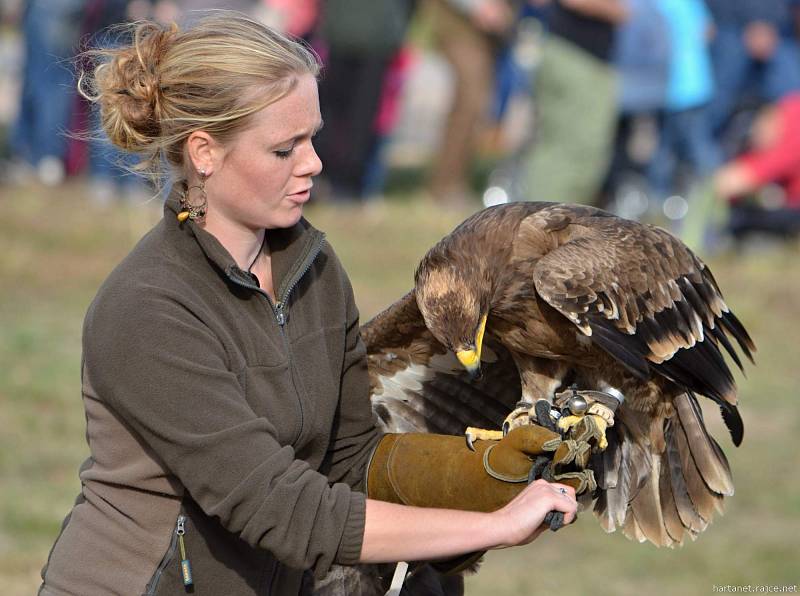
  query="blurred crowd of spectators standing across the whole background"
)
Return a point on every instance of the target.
[{"x": 672, "y": 111}]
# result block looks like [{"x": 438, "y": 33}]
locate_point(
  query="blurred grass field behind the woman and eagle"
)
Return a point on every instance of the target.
[{"x": 55, "y": 249}]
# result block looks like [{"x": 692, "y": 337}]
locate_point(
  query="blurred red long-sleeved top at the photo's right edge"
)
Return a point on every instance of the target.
[{"x": 780, "y": 162}]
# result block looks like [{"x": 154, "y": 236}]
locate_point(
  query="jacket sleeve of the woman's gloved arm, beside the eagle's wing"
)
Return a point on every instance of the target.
[{"x": 355, "y": 434}]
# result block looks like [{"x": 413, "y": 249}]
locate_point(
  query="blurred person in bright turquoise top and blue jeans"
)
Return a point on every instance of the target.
[{"x": 685, "y": 133}]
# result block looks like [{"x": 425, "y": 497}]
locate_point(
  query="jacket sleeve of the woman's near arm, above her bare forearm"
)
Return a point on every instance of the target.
[{"x": 167, "y": 375}]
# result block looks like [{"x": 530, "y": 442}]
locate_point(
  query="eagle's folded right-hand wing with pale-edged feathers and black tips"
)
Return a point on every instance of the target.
[{"x": 643, "y": 297}]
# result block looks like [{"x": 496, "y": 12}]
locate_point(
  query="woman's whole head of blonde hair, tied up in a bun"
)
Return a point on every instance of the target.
[{"x": 167, "y": 83}]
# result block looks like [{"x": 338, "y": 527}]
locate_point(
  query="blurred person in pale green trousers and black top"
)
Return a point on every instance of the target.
[{"x": 576, "y": 102}]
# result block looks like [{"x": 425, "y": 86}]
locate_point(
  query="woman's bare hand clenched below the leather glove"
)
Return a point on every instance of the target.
[{"x": 521, "y": 521}]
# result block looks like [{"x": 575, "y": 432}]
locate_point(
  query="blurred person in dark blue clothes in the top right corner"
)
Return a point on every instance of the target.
[{"x": 755, "y": 52}]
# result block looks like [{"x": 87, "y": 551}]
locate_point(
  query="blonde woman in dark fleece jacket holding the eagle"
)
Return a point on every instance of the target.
[{"x": 224, "y": 380}]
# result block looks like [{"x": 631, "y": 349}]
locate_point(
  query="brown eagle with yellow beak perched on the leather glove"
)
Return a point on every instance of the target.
[{"x": 544, "y": 297}]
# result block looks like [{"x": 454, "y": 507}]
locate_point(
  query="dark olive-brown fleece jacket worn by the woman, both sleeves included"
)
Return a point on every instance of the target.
[{"x": 224, "y": 429}]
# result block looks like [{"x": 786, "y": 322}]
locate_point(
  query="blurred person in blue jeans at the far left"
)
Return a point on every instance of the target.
[{"x": 51, "y": 30}]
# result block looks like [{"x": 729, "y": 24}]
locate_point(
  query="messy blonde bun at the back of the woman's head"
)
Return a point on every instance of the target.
[{"x": 129, "y": 87}]
